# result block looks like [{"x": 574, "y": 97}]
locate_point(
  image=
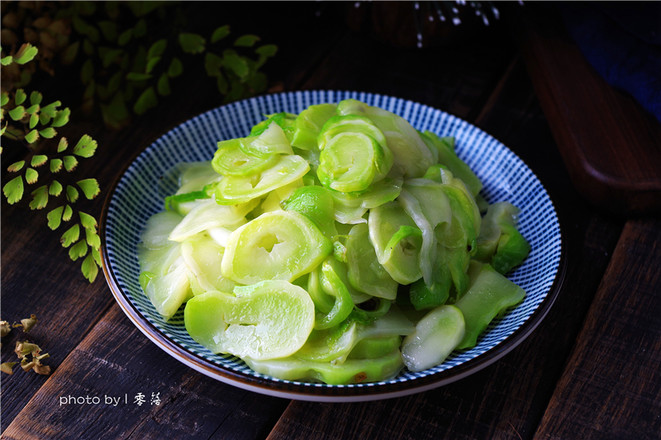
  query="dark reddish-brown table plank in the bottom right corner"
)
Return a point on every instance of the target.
[{"x": 611, "y": 387}]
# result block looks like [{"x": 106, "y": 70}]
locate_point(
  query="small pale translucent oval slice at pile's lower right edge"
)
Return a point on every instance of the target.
[{"x": 436, "y": 335}]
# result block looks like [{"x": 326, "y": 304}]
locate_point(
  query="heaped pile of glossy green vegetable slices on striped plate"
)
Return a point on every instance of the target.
[{"x": 338, "y": 245}]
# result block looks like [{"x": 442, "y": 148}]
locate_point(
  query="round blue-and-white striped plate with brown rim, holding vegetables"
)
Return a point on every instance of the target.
[{"x": 139, "y": 193}]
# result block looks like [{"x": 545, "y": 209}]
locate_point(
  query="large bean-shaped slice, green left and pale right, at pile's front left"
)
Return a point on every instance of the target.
[{"x": 267, "y": 320}]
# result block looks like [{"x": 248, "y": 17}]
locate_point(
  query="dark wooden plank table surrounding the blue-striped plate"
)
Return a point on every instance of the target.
[{"x": 590, "y": 370}]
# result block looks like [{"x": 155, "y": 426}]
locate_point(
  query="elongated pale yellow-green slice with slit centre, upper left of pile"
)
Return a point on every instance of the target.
[{"x": 232, "y": 190}]
